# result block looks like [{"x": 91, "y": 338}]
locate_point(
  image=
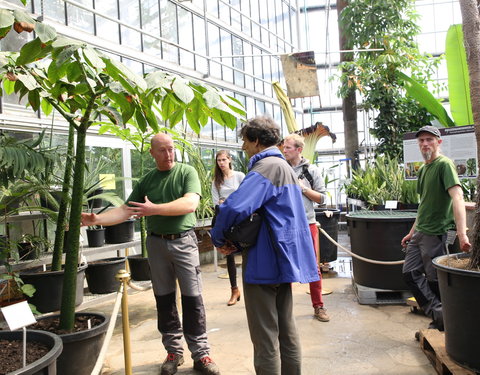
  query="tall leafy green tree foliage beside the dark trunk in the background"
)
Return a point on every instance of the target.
[{"x": 388, "y": 28}]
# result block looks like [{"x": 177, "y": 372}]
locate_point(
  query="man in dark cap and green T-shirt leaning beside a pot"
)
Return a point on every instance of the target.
[{"x": 441, "y": 209}]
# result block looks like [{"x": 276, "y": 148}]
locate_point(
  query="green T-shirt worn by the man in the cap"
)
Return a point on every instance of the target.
[{"x": 435, "y": 212}]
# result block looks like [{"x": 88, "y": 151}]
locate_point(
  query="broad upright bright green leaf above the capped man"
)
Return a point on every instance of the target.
[{"x": 458, "y": 78}]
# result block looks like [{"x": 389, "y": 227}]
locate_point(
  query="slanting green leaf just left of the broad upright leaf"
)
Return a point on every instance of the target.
[{"x": 426, "y": 99}]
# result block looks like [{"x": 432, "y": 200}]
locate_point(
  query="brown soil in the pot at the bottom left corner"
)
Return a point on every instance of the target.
[{"x": 11, "y": 354}]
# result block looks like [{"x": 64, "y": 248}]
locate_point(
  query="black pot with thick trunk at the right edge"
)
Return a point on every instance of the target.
[{"x": 459, "y": 275}]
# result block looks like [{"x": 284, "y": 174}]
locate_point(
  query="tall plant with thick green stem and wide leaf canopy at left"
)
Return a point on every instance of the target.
[{"x": 82, "y": 84}]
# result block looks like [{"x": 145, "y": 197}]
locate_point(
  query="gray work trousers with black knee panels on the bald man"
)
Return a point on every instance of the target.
[{"x": 171, "y": 260}]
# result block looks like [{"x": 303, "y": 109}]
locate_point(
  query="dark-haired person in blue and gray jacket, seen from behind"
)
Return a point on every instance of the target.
[{"x": 283, "y": 253}]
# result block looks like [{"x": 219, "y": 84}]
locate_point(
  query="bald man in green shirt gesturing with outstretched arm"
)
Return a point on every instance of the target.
[{"x": 168, "y": 197}]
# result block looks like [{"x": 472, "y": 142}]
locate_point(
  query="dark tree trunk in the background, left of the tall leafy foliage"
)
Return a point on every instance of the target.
[{"x": 349, "y": 103}]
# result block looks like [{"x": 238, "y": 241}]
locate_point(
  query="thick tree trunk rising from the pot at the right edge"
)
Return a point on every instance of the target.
[{"x": 471, "y": 32}]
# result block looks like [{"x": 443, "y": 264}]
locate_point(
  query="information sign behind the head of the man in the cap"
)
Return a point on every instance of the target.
[{"x": 459, "y": 144}]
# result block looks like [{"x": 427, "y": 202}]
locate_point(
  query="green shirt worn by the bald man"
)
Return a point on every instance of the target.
[{"x": 164, "y": 187}]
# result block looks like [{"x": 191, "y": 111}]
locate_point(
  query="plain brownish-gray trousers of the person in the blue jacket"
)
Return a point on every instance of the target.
[{"x": 276, "y": 345}]
